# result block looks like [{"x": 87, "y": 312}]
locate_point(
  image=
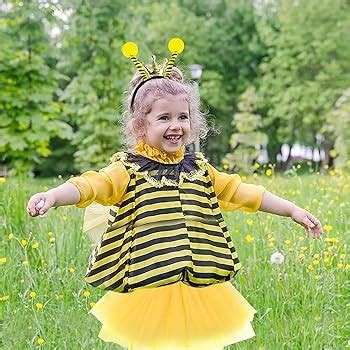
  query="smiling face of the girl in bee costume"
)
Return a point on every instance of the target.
[{"x": 168, "y": 123}]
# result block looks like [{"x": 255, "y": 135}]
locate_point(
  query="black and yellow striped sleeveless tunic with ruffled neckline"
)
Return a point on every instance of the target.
[{"x": 168, "y": 228}]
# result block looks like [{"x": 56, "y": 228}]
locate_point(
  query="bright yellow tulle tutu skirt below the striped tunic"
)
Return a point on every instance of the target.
[{"x": 175, "y": 316}]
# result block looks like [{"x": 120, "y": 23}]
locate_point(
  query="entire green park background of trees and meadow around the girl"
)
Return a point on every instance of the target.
[{"x": 275, "y": 77}]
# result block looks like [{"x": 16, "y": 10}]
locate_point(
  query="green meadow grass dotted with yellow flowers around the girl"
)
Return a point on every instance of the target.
[{"x": 44, "y": 299}]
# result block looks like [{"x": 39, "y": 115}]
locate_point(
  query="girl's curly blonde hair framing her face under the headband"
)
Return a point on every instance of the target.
[{"x": 134, "y": 116}]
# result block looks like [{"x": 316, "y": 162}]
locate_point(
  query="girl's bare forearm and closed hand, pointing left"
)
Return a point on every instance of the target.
[{"x": 65, "y": 194}]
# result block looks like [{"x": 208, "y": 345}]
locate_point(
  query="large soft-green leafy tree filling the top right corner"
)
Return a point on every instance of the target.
[{"x": 306, "y": 68}]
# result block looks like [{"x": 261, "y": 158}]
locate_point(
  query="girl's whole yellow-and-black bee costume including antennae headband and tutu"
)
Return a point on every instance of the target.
[{"x": 165, "y": 255}]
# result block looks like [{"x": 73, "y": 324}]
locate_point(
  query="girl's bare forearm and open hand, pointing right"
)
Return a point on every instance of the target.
[{"x": 279, "y": 206}]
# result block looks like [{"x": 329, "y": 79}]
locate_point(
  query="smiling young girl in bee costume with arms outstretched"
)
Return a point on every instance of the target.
[{"x": 166, "y": 256}]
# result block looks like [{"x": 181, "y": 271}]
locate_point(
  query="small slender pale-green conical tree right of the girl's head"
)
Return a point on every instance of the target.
[{"x": 246, "y": 140}]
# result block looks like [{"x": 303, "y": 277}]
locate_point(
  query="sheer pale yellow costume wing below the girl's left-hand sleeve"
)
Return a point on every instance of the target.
[{"x": 95, "y": 221}]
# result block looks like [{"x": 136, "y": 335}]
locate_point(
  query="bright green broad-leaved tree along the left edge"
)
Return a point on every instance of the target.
[{"x": 29, "y": 111}]
